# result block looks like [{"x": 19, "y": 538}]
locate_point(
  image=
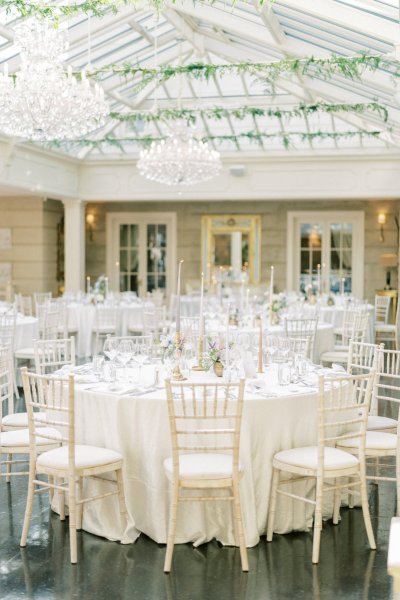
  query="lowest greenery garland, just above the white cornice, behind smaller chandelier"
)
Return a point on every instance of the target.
[{"x": 253, "y": 136}]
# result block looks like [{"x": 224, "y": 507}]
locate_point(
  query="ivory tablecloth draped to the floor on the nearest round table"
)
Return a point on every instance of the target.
[{"x": 138, "y": 428}]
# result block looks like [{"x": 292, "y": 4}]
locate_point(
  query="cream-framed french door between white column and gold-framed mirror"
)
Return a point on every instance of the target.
[{"x": 141, "y": 251}]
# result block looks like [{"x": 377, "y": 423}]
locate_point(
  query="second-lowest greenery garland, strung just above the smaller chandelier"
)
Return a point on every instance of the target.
[{"x": 240, "y": 113}]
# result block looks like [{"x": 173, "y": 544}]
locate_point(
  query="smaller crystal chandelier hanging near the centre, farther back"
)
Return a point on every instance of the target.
[{"x": 180, "y": 159}]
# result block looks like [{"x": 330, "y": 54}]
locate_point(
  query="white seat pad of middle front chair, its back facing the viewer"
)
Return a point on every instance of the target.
[{"x": 202, "y": 466}]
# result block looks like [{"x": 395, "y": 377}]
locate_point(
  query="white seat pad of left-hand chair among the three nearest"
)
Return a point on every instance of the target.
[{"x": 85, "y": 457}]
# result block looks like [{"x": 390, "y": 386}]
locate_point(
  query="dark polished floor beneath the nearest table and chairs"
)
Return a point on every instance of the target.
[{"x": 348, "y": 570}]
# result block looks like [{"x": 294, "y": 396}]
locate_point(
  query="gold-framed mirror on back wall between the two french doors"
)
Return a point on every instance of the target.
[{"x": 231, "y": 243}]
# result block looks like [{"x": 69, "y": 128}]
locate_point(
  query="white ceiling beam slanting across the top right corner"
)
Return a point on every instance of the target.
[{"x": 346, "y": 17}]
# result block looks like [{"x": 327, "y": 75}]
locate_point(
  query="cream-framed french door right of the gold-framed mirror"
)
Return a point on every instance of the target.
[{"x": 326, "y": 250}]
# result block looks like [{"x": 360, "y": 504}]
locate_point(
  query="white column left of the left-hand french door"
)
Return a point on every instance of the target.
[{"x": 74, "y": 245}]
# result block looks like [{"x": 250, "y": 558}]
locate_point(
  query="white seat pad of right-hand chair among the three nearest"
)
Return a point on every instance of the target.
[{"x": 307, "y": 457}]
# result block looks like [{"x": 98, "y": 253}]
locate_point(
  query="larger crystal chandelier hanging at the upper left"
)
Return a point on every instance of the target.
[{"x": 42, "y": 102}]
